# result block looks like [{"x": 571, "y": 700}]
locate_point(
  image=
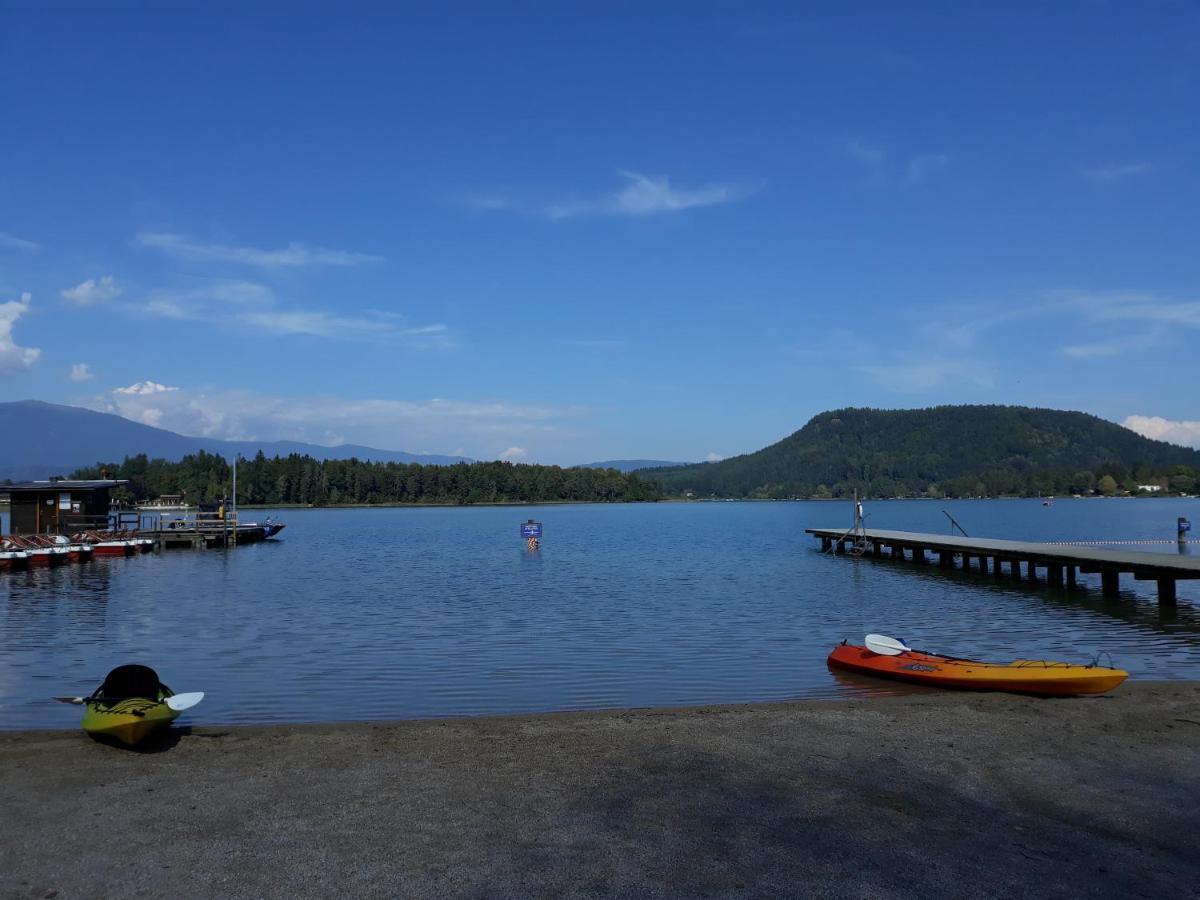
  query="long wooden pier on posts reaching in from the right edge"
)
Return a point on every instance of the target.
[{"x": 1024, "y": 560}]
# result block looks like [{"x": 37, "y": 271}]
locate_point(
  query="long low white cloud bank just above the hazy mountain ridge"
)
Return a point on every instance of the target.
[{"x": 388, "y": 424}]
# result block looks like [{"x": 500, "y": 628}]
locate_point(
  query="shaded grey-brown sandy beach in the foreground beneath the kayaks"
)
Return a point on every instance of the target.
[{"x": 947, "y": 795}]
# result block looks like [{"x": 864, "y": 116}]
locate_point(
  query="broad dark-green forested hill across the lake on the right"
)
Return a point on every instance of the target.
[{"x": 955, "y": 451}]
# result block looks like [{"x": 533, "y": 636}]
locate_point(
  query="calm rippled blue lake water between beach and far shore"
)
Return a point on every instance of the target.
[{"x": 429, "y": 613}]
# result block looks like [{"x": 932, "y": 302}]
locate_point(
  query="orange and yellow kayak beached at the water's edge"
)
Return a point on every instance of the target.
[{"x": 1024, "y": 676}]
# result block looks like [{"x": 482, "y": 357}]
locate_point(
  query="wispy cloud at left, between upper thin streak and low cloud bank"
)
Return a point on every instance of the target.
[{"x": 256, "y": 307}]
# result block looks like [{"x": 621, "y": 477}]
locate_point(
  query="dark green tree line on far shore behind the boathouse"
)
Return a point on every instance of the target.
[{"x": 207, "y": 478}]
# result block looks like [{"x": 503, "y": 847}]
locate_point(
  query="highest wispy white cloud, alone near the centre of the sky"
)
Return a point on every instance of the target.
[{"x": 639, "y": 197}]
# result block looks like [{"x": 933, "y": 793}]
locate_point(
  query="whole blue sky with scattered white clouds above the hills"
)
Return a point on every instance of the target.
[{"x": 575, "y": 232}]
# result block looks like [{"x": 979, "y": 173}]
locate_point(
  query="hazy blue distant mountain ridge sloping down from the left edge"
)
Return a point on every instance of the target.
[{"x": 43, "y": 440}]
